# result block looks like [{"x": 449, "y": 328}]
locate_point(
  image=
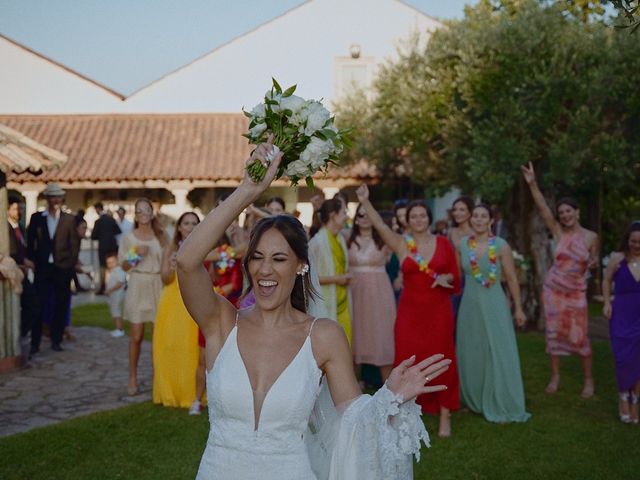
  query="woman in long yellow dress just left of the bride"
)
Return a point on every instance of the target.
[{"x": 175, "y": 339}]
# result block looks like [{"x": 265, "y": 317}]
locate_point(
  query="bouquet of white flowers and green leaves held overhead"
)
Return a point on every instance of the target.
[{"x": 303, "y": 131}]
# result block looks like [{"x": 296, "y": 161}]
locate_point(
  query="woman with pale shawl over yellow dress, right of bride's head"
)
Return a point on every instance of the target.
[{"x": 329, "y": 250}]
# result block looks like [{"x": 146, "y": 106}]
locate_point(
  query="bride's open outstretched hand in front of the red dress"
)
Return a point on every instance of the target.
[{"x": 410, "y": 379}]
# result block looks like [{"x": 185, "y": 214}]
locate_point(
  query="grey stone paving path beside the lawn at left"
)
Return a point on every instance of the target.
[{"x": 89, "y": 376}]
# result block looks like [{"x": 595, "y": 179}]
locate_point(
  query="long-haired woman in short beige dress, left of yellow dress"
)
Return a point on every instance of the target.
[{"x": 140, "y": 255}]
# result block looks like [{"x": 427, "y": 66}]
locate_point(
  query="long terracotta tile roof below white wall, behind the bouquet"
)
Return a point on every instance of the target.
[{"x": 146, "y": 147}]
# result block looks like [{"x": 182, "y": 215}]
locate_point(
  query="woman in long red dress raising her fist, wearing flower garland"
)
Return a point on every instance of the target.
[{"x": 425, "y": 322}]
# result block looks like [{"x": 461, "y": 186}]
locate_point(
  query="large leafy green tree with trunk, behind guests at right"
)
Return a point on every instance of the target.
[{"x": 502, "y": 87}]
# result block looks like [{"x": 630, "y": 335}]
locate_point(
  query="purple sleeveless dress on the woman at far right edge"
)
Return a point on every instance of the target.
[{"x": 624, "y": 327}]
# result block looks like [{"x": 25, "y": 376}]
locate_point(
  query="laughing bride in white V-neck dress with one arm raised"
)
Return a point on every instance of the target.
[{"x": 269, "y": 366}]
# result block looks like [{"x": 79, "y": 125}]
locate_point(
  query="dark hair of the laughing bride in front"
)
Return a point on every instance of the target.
[{"x": 293, "y": 232}]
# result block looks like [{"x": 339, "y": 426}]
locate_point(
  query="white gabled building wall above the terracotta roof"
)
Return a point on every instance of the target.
[{"x": 299, "y": 47}]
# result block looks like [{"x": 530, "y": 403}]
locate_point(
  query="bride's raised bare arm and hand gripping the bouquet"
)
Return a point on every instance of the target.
[{"x": 204, "y": 306}]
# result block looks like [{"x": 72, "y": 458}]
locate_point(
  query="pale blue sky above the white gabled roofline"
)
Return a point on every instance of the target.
[{"x": 126, "y": 44}]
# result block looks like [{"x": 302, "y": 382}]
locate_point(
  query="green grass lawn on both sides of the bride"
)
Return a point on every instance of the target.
[{"x": 567, "y": 437}]
